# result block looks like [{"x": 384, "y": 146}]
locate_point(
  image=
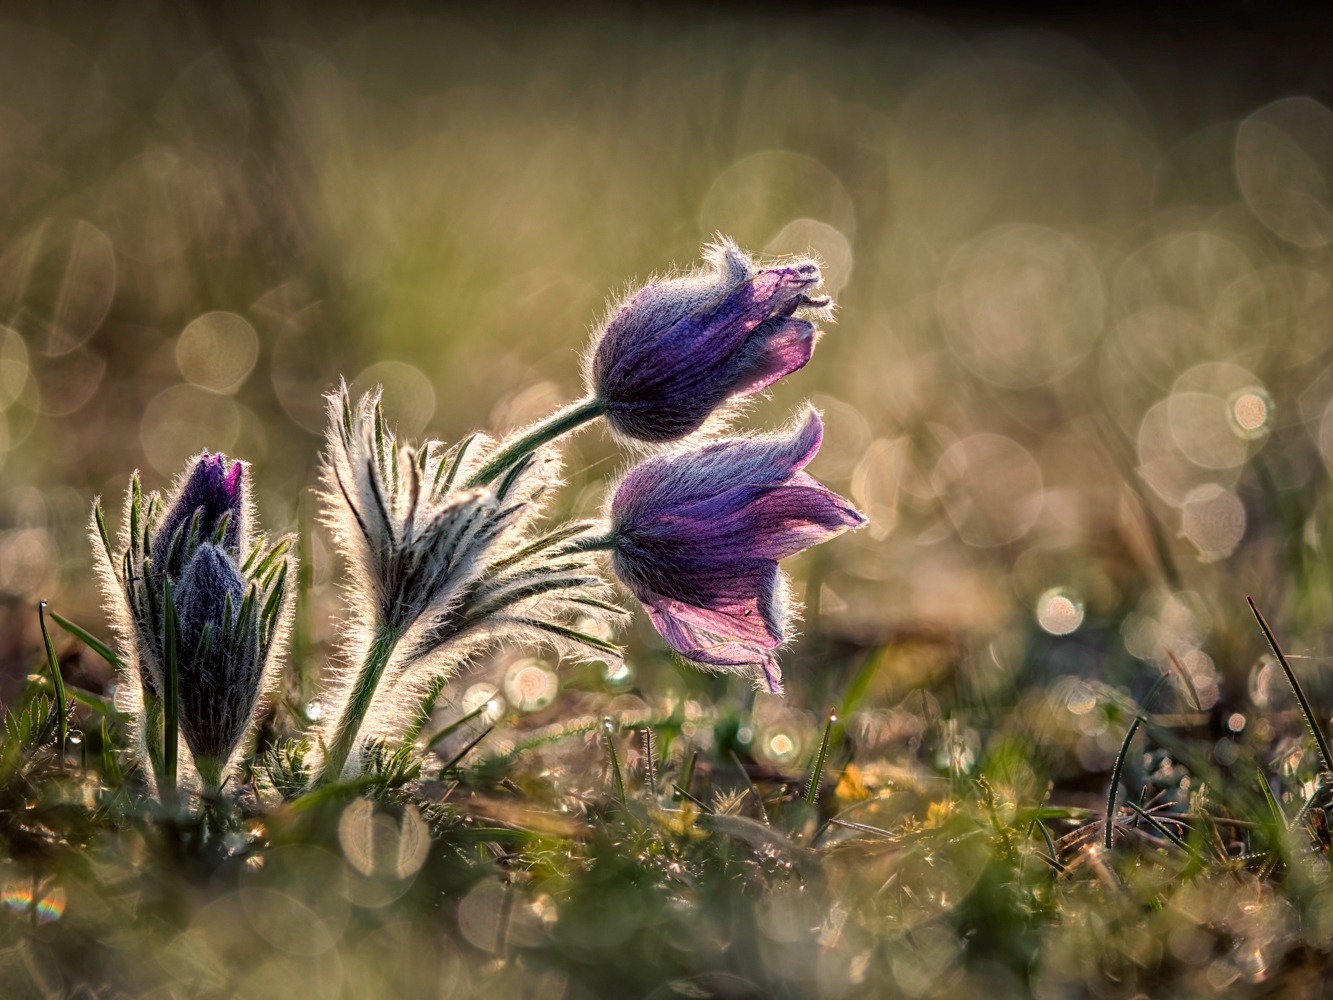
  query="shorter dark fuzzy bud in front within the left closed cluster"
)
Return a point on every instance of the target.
[{"x": 221, "y": 669}]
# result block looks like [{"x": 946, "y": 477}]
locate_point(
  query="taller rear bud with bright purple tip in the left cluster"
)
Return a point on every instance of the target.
[{"x": 215, "y": 490}]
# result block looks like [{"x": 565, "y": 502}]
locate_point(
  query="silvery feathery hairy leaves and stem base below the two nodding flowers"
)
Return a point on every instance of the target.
[{"x": 443, "y": 563}]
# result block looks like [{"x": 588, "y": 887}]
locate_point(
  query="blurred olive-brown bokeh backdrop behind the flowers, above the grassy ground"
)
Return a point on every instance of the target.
[{"x": 1079, "y": 378}]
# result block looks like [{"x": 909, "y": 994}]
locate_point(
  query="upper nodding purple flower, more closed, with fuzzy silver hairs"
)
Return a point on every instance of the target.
[{"x": 679, "y": 350}]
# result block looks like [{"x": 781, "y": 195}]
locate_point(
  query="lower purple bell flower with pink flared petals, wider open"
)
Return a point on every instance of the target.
[{"x": 696, "y": 535}]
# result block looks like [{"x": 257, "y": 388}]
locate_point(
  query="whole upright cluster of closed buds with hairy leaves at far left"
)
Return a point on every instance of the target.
[{"x": 202, "y": 609}]
